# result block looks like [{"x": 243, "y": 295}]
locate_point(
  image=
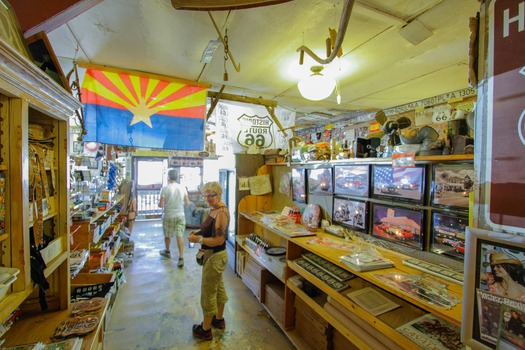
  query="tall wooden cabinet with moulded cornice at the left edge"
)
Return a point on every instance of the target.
[{"x": 29, "y": 96}]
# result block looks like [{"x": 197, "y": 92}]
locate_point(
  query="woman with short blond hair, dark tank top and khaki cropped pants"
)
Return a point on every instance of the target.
[{"x": 212, "y": 237}]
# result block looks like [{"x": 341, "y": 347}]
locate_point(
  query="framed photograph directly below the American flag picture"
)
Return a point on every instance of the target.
[{"x": 399, "y": 225}]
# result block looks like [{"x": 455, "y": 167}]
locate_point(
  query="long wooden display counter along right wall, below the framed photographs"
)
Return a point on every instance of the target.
[{"x": 382, "y": 327}]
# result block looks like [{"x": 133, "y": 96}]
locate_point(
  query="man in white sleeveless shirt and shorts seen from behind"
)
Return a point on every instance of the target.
[{"x": 173, "y": 197}]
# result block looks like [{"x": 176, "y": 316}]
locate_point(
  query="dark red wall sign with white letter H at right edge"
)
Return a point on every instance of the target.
[{"x": 506, "y": 114}]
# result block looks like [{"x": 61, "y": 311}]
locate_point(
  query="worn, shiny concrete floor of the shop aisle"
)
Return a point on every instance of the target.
[{"x": 159, "y": 303}]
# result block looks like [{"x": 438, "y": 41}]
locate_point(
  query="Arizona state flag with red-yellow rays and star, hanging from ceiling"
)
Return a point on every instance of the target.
[{"x": 138, "y": 111}]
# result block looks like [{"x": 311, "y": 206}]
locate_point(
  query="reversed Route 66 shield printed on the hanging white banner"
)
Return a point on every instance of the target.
[{"x": 255, "y": 131}]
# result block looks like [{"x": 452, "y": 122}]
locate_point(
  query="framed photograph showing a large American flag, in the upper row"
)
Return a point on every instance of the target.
[{"x": 402, "y": 184}]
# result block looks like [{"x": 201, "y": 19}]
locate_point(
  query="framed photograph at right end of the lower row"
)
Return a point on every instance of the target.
[{"x": 448, "y": 234}]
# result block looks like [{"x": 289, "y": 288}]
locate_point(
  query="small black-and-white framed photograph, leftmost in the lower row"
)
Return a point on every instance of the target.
[{"x": 350, "y": 213}]
